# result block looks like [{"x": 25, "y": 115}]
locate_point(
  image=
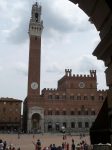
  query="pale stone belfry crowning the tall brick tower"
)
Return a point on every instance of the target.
[{"x": 36, "y": 24}]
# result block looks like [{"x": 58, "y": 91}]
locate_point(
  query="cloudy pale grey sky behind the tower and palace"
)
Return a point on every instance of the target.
[{"x": 68, "y": 40}]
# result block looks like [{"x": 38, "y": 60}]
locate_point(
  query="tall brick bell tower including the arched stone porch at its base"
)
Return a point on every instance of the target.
[{"x": 32, "y": 113}]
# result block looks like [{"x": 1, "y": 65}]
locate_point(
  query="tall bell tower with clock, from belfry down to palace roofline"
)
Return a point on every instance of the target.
[{"x": 35, "y": 31}]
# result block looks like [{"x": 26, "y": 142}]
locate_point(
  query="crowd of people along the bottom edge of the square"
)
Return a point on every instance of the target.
[{"x": 38, "y": 146}]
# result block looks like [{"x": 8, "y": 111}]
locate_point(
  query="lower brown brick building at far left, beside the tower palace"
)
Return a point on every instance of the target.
[{"x": 10, "y": 114}]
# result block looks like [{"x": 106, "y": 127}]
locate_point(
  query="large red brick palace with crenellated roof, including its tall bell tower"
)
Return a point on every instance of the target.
[{"x": 73, "y": 105}]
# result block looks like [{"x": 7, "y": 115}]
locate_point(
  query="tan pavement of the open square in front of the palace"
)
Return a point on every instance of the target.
[{"x": 25, "y": 142}]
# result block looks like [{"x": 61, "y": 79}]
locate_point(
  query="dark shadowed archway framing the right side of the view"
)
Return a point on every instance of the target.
[{"x": 100, "y": 14}]
